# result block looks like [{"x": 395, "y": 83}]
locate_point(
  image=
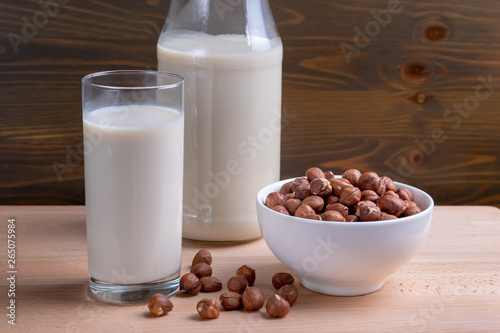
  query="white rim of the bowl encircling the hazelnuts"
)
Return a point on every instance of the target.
[{"x": 273, "y": 187}]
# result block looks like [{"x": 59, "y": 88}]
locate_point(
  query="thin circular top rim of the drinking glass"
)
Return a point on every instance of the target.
[{"x": 86, "y": 80}]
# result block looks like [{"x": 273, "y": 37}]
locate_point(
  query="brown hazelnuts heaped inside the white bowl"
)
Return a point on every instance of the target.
[{"x": 353, "y": 198}]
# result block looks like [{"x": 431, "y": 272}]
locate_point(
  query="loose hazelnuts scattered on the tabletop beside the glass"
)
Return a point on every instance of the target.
[{"x": 241, "y": 291}]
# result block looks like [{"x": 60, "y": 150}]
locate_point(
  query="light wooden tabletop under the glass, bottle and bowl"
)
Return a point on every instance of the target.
[{"x": 452, "y": 285}]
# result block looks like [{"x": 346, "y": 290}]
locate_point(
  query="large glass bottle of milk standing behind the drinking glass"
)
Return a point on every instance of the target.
[{"x": 230, "y": 55}]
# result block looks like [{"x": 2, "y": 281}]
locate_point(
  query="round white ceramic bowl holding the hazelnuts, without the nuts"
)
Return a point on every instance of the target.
[{"x": 341, "y": 258}]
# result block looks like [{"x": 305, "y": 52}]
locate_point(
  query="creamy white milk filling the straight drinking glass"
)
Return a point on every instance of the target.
[{"x": 133, "y": 192}]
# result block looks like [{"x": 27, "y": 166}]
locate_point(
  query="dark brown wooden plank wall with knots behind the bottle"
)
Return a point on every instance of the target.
[{"x": 375, "y": 109}]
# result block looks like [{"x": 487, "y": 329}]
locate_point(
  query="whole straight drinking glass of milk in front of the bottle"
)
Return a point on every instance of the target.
[{"x": 133, "y": 126}]
